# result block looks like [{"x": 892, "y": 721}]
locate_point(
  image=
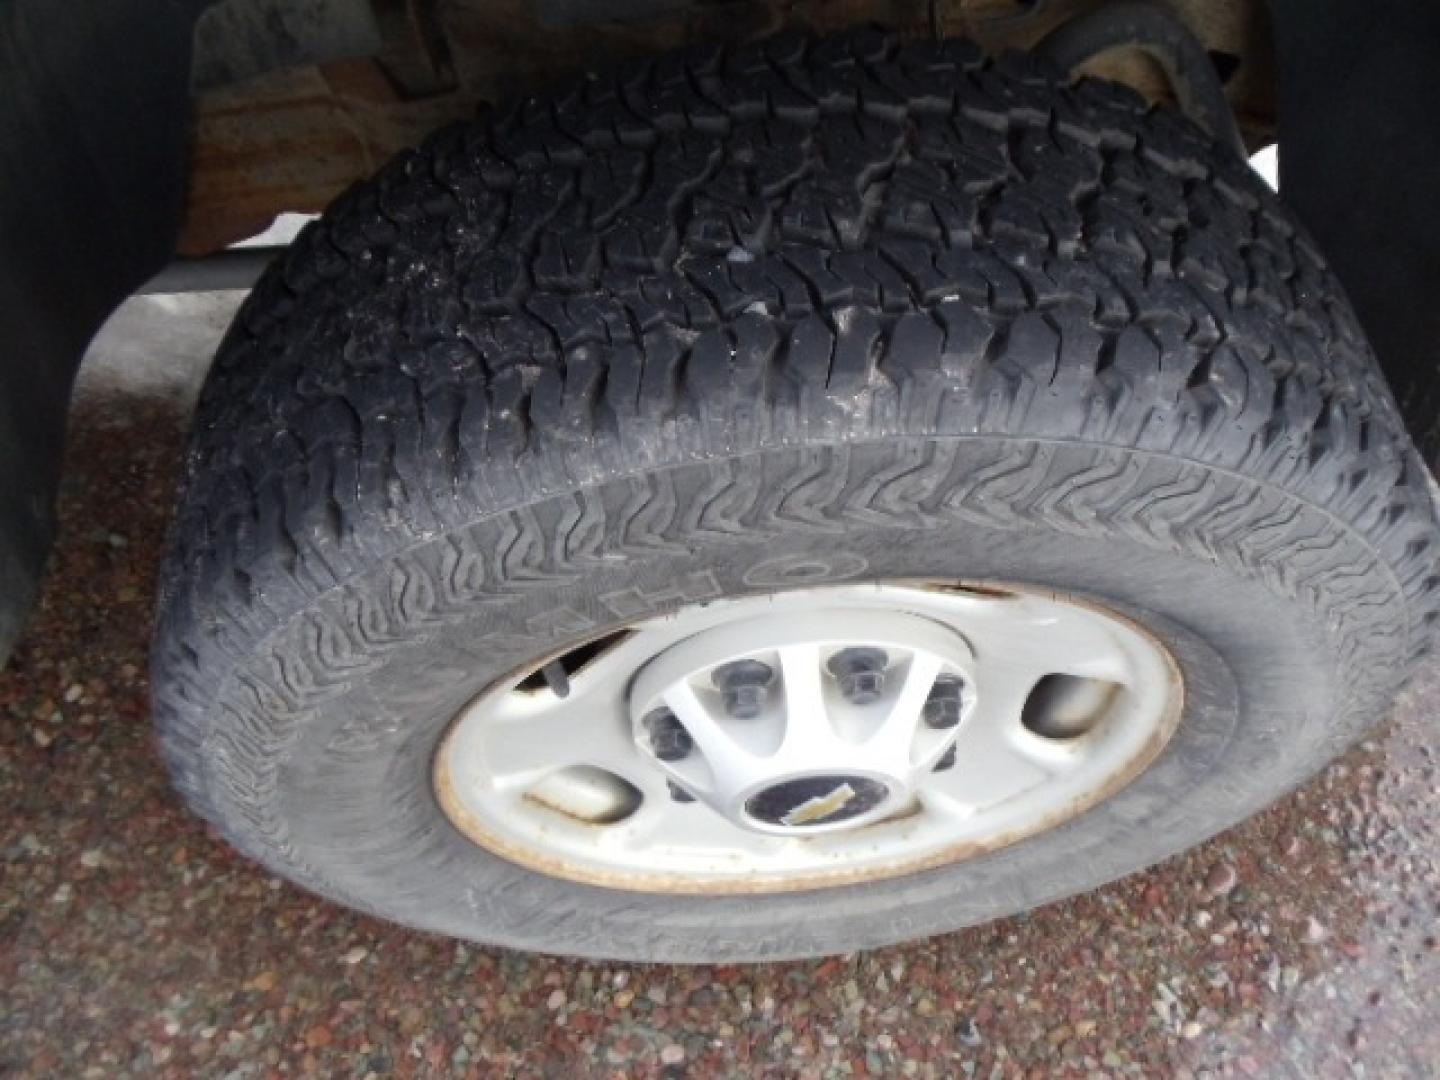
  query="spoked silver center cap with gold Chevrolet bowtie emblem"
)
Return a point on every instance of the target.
[{"x": 800, "y": 726}]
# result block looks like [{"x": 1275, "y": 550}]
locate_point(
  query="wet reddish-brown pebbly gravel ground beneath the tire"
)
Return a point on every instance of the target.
[{"x": 135, "y": 942}]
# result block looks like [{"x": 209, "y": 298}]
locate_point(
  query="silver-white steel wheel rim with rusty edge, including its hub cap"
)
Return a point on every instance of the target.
[{"x": 813, "y": 738}]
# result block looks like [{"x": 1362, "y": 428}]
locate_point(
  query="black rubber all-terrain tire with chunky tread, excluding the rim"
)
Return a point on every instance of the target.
[{"x": 781, "y": 316}]
